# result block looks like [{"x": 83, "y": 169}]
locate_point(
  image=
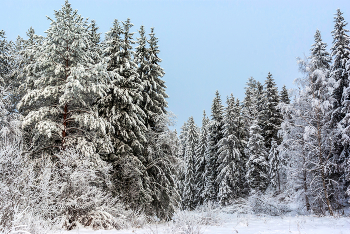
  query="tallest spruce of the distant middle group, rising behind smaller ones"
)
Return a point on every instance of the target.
[{"x": 271, "y": 116}]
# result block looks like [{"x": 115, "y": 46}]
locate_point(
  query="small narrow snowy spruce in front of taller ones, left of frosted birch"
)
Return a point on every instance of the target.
[{"x": 274, "y": 165}]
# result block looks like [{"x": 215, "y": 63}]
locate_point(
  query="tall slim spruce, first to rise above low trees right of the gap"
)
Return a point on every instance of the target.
[{"x": 215, "y": 134}]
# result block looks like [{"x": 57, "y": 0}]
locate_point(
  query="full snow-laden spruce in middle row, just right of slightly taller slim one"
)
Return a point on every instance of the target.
[{"x": 229, "y": 159}]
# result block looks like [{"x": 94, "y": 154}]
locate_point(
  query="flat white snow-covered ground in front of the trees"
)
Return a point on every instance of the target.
[{"x": 242, "y": 224}]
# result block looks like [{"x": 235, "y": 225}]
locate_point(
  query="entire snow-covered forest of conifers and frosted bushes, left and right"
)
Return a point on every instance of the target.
[{"x": 86, "y": 137}]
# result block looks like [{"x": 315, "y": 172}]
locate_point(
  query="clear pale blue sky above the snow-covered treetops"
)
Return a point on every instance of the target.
[{"x": 206, "y": 45}]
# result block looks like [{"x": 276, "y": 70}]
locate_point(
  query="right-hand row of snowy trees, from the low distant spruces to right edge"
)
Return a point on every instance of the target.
[{"x": 292, "y": 143}]
